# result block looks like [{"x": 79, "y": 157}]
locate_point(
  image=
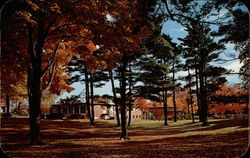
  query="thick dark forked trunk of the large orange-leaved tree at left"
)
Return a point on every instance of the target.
[{"x": 34, "y": 82}]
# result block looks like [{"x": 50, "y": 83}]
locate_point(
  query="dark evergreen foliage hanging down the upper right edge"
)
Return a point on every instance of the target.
[{"x": 236, "y": 32}]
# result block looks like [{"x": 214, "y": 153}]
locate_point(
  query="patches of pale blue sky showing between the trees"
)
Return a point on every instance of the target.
[{"x": 176, "y": 31}]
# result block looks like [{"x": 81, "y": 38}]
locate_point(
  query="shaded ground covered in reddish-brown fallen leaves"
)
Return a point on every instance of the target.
[{"x": 149, "y": 139}]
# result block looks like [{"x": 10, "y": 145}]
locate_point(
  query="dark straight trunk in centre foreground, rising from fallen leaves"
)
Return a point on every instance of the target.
[{"x": 124, "y": 133}]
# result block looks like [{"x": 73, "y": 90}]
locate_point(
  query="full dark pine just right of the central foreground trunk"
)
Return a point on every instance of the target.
[{"x": 155, "y": 70}]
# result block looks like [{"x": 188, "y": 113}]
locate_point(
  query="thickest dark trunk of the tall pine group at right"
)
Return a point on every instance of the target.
[{"x": 204, "y": 109}]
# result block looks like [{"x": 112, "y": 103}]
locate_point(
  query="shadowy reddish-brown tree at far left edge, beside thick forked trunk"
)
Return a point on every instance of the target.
[{"x": 12, "y": 63}]
